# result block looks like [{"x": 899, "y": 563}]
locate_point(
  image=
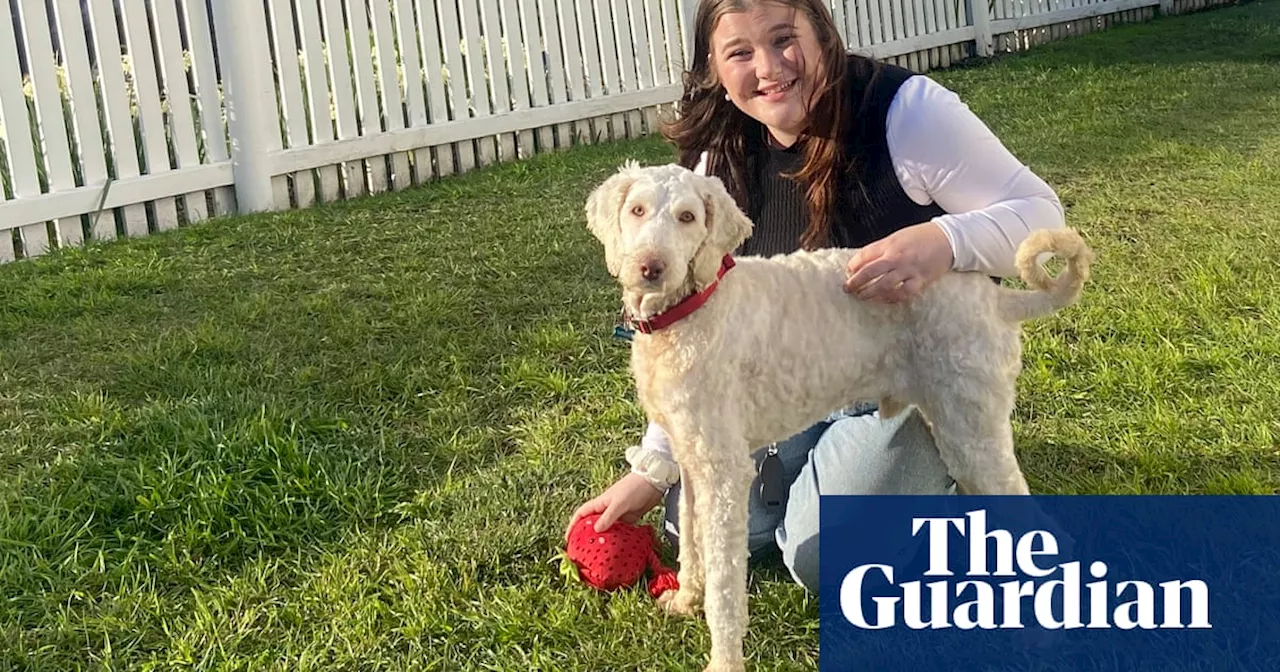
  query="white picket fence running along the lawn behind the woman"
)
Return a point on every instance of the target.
[{"x": 131, "y": 117}]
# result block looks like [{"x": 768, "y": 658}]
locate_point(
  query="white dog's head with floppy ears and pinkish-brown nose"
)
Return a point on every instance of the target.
[{"x": 665, "y": 231}]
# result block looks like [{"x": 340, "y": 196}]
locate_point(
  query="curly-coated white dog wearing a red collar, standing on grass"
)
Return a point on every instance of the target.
[{"x": 732, "y": 358}]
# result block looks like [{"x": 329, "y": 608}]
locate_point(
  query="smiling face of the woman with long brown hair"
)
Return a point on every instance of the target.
[{"x": 770, "y": 63}]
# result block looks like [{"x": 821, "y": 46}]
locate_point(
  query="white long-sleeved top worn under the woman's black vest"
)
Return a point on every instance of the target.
[{"x": 945, "y": 154}]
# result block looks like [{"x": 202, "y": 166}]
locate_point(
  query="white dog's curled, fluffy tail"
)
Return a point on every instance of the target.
[{"x": 1049, "y": 295}]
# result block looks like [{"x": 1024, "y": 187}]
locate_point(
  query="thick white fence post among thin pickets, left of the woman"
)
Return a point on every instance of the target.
[{"x": 250, "y": 95}]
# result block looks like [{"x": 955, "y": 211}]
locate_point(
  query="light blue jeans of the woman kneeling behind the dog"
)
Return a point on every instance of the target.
[{"x": 851, "y": 452}]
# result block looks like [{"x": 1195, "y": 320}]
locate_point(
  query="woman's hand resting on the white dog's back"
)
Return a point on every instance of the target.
[{"x": 898, "y": 268}]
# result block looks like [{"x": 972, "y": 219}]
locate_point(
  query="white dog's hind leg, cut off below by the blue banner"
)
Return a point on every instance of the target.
[{"x": 971, "y": 426}]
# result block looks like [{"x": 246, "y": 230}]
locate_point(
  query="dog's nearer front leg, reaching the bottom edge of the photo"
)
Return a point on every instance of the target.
[{"x": 723, "y": 520}]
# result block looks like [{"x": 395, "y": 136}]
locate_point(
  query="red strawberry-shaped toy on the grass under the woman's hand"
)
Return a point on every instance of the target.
[{"x": 618, "y": 557}]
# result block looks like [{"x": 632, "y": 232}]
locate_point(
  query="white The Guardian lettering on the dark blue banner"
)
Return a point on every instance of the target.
[{"x": 1049, "y": 596}]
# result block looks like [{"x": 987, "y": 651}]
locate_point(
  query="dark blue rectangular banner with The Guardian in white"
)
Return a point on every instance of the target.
[{"x": 1050, "y": 584}]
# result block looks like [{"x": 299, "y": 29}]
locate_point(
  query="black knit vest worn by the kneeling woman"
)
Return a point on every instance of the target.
[{"x": 872, "y": 203}]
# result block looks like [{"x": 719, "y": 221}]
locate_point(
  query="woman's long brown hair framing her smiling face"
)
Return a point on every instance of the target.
[{"x": 707, "y": 122}]
